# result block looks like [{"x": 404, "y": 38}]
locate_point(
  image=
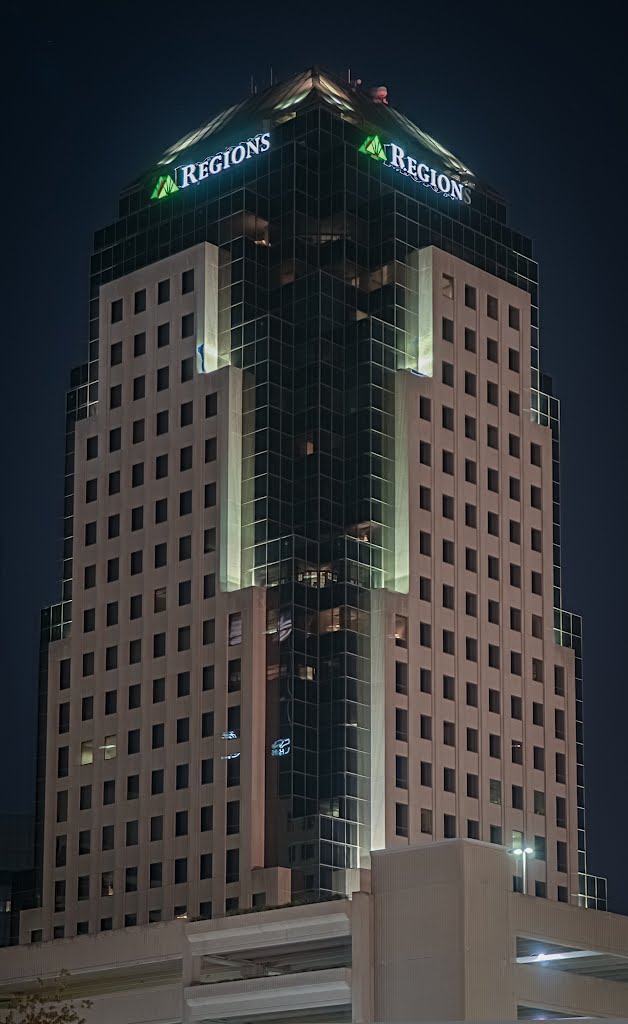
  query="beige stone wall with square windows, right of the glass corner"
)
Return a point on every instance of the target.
[{"x": 449, "y": 475}]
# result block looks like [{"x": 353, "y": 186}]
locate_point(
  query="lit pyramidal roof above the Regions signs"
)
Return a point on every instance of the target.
[{"x": 279, "y": 102}]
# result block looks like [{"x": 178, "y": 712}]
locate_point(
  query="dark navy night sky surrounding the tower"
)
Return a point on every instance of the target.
[{"x": 531, "y": 98}]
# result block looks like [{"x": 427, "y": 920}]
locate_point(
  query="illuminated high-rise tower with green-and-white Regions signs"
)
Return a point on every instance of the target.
[{"x": 312, "y": 599}]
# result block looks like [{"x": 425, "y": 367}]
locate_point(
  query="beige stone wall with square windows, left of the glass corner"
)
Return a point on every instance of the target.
[{"x": 208, "y": 564}]
